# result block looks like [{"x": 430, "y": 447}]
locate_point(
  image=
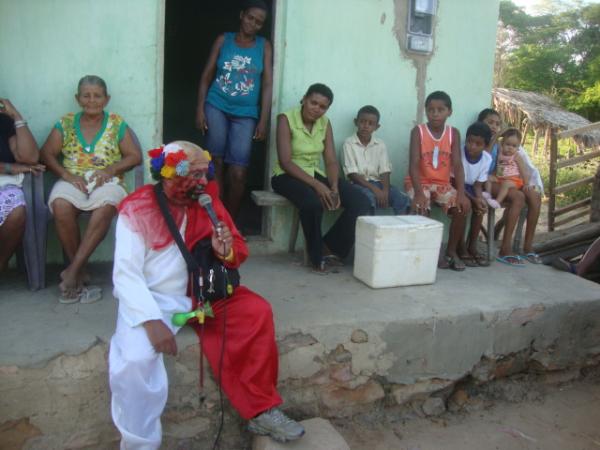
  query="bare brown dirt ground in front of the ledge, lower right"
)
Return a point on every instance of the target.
[{"x": 511, "y": 415}]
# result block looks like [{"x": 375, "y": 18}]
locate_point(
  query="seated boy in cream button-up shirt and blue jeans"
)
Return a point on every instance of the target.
[{"x": 367, "y": 164}]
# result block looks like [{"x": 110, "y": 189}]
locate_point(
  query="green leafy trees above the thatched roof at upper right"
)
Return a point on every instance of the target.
[{"x": 556, "y": 53}]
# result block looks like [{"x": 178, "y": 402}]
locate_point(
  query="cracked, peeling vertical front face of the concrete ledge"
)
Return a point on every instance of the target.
[{"x": 326, "y": 371}]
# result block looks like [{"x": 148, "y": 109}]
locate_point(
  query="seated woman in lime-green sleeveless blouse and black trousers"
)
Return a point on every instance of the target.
[{"x": 304, "y": 137}]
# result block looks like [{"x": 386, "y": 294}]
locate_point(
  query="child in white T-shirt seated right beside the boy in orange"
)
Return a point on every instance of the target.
[{"x": 476, "y": 163}]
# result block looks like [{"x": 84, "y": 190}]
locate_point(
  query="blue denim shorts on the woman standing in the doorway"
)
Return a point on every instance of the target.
[{"x": 228, "y": 137}]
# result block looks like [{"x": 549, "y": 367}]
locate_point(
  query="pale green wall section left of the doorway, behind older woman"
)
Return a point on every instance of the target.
[{"x": 48, "y": 45}]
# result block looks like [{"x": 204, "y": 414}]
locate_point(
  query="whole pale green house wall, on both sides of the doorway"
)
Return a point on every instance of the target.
[{"x": 354, "y": 46}]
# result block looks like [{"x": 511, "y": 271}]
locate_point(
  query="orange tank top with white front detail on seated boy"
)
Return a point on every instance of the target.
[{"x": 436, "y": 156}]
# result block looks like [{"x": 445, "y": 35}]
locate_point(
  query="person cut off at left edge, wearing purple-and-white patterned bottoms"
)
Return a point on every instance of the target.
[{"x": 18, "y": 155}]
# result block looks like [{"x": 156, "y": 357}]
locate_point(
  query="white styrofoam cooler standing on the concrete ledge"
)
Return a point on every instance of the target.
[{"x": 397, "y": 250}]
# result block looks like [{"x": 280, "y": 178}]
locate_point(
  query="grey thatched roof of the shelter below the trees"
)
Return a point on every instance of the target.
[{"x": 529, "y": 110}]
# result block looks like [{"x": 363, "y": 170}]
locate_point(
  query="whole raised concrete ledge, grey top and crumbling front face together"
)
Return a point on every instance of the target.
[{"x": 344, "y": 348}]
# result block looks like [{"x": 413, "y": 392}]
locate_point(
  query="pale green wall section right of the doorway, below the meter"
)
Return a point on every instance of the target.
[{"x": 354, "y": 47}]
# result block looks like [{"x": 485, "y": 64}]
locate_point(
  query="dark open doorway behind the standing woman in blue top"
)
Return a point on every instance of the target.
[{"x": 191, "y": 26}]
